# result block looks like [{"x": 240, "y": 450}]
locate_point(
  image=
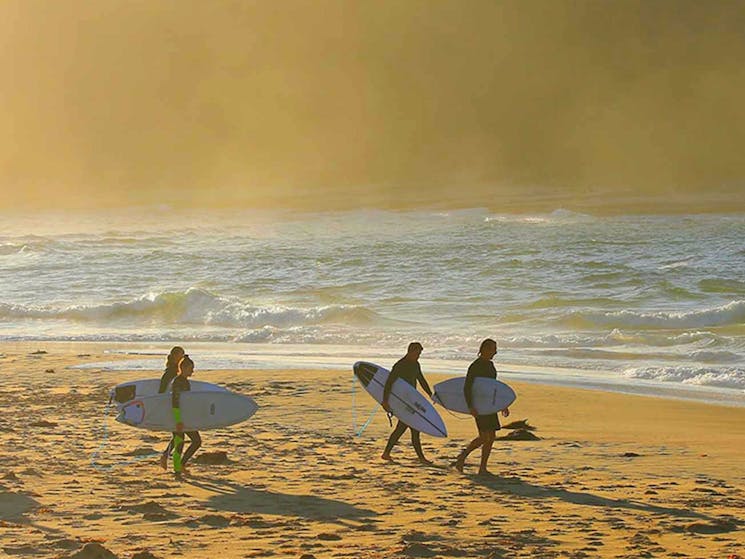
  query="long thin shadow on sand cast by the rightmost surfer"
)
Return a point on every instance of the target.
[{"x": 515, "y": 486}]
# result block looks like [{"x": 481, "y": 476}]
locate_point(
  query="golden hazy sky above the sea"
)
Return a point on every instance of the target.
[{"x": 301, "y": 102}]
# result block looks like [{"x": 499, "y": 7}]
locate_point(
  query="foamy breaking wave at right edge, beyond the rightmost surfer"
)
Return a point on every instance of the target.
[{"x": 723, "y": 315}]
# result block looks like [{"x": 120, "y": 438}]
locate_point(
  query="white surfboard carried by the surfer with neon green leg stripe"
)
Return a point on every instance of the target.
[{"x": 200, "y": 410}]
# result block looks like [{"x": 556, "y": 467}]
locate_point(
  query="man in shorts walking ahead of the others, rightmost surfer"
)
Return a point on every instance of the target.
[{"x": 487, "y": 425}]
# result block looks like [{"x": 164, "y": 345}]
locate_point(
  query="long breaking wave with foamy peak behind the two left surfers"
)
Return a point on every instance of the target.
[{"x": 199, "y": 307}]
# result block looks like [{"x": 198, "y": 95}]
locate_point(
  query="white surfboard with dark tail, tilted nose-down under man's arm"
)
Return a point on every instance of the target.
[{"x": 407, "y": 404}]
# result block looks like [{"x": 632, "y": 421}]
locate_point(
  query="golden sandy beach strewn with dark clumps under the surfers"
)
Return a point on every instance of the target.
[{"x": 610, "y": 476}]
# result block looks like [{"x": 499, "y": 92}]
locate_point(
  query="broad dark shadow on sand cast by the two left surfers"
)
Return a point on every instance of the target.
[{"x": 232, "y": 497}]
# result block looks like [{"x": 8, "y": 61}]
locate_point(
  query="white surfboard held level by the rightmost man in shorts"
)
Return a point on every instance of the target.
[{"x": 489, "y": 395}]
